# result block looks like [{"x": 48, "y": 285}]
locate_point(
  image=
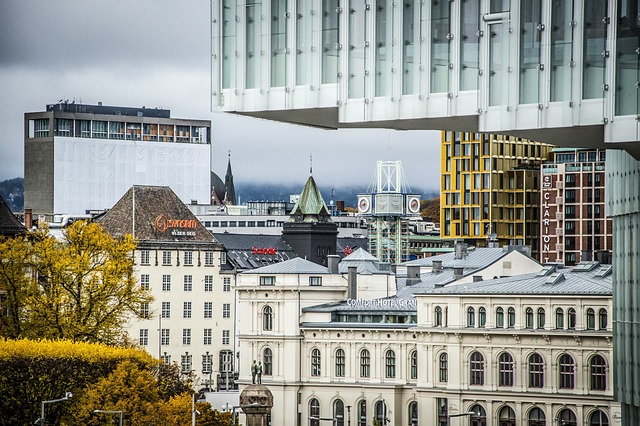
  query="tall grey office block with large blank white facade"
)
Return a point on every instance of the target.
[{"x": 85, "y": 157}]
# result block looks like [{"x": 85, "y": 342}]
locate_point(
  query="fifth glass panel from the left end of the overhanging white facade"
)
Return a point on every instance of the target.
[{"x": 330, "y": 40}]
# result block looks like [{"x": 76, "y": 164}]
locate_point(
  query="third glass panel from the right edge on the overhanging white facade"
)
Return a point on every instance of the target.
[{"x": 561, "y": 50}]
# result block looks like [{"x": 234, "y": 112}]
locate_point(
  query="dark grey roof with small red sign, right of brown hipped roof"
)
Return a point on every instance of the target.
[{"x": 240, "y": 249}]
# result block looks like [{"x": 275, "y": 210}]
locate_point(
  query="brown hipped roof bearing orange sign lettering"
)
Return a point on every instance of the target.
[{"x": 154, "y": 213}]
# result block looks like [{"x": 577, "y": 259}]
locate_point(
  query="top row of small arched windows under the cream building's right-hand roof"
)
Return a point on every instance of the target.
[{"x": 531, "y": 320}]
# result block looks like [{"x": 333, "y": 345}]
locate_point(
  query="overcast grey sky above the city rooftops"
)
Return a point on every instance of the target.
[{"x": 156, "y": 53}]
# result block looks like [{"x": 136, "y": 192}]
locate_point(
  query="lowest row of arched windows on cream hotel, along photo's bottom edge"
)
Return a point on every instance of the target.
[{"x": 506, "y": 415}]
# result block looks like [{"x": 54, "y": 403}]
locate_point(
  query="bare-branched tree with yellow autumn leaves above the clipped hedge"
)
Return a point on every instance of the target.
[{"x": 79, "y": 287}]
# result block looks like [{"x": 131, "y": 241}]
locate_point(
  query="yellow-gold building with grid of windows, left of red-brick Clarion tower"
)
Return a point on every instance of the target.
[{"x": 490, "y": 184}]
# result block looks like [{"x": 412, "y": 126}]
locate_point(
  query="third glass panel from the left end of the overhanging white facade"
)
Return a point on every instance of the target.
[{"x": 279, "y": 42}]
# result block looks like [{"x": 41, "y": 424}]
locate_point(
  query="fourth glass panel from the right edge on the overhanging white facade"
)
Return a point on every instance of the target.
[{"x": 530, "y": 35}]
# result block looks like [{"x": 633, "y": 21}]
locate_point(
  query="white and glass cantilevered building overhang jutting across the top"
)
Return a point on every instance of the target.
[{"x": 563, "y": 72}]
